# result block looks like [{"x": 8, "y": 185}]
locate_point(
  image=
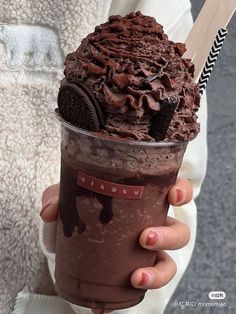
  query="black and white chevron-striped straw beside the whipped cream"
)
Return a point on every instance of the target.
[{"x": 211, "y": 60}]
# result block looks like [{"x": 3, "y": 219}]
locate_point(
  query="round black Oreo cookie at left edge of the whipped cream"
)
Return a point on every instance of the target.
[{"x": 77, "y": 105}]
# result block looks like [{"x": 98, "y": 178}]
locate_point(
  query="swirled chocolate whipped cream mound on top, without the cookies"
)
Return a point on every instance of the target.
[{"x": 133, "y": 70}]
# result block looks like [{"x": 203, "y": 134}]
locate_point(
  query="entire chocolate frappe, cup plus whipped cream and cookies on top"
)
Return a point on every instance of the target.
[{"x": 127, "y": 106}]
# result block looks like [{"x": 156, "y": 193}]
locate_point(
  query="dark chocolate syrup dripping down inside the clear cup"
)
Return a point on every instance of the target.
[{"x": 70, "y": 191}]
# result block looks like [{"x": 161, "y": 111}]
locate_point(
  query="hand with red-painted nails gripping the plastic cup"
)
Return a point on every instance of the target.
[{"x": 174, "y": 235}]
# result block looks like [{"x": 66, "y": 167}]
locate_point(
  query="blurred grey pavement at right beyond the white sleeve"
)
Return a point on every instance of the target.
[{"x": 213, "y": 264}]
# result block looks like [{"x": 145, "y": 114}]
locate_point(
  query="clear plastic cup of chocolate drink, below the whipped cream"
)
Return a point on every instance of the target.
[{"x": 98, "y": 235}]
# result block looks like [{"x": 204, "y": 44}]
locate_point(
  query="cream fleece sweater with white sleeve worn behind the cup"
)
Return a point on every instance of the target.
[{"x": 35, "y": 36}]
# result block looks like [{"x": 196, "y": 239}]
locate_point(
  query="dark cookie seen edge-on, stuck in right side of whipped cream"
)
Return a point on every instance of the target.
[{"x": 161, "y": 121}]
